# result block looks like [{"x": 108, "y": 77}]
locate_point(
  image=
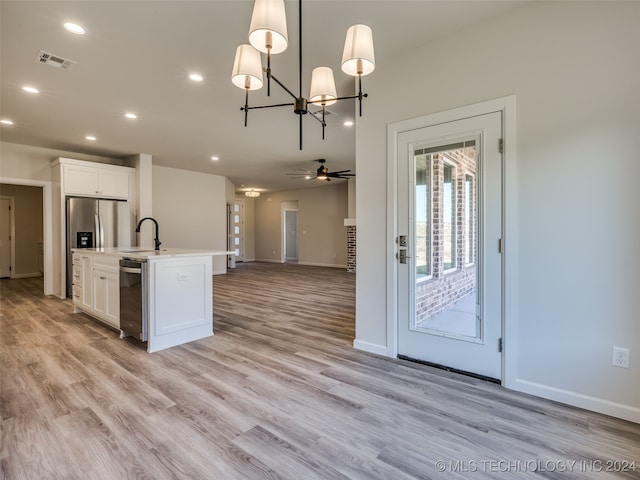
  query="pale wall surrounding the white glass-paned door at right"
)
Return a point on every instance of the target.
[{"x": 574, "y": 71}]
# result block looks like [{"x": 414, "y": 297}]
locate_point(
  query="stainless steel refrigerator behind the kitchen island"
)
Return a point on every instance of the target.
[{"x": 96, "y": 223}]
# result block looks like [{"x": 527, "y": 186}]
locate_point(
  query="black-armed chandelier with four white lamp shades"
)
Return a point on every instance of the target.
[{"x": 268, "y": 34}]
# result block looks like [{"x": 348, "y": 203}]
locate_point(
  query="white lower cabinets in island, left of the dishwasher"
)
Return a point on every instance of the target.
[{"x": 96, "y": 287}]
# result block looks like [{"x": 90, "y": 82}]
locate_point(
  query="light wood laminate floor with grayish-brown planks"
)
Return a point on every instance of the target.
[{"x": 277, "y": 393}]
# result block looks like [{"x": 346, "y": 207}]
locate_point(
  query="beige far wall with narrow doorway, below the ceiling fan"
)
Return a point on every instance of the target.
[{"x": 322, "y": 236}]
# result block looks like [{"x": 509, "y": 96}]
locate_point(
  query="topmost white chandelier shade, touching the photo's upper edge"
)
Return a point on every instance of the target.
[{"x": 268, "y": 26}]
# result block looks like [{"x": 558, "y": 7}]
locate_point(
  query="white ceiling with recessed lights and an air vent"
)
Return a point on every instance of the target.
[{"x": 136, "y": 56}]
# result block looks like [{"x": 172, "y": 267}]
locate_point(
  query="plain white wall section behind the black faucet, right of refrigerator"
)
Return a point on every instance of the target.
[{"x": 191, "y": 209}]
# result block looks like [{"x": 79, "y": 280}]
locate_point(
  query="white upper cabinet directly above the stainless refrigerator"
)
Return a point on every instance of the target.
[{"x": 94, "y": 180}]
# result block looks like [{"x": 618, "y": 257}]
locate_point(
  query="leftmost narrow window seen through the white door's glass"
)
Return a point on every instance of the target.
[{"x": 423, "y": 216}]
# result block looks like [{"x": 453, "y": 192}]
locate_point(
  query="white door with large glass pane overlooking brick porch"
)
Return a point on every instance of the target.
[{"x": 449, "y": 234}]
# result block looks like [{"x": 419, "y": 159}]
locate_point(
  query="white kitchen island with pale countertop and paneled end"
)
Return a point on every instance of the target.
[{"x": 176, "y": 291}]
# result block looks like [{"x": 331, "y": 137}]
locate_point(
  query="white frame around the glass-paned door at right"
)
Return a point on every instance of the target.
[{"x": 506, "y": 105}]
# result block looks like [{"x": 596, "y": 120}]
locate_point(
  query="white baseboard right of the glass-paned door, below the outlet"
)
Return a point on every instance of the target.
[{"x": 587, "y": 402}]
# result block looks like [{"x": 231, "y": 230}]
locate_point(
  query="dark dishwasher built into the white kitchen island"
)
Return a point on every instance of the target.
[{"x": 134, "y": 293}]
